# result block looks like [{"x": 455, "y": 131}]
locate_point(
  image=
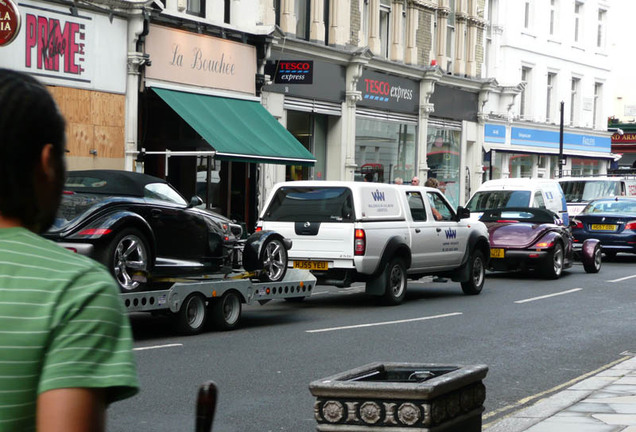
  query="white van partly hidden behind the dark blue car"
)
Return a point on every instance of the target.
[{"x": 581, "y": 190}]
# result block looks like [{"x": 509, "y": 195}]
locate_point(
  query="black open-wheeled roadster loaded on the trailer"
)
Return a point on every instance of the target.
[{"x": 139, "y": 226}]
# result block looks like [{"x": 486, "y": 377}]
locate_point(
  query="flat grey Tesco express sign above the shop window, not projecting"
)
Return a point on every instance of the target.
[{"x": 388, "y": 92}]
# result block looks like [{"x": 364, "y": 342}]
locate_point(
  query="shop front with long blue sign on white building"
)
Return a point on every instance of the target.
[{"x": 511, "y": 152}]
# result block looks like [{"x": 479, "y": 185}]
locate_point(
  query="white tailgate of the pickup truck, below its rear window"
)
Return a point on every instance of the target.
[{"x": 316, "y": 240}]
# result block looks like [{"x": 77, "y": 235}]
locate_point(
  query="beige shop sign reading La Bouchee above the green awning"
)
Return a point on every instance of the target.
[{"x": 187, "y": 58}]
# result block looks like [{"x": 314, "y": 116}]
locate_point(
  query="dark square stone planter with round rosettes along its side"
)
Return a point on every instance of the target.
[{"x": 401, "y": 397}]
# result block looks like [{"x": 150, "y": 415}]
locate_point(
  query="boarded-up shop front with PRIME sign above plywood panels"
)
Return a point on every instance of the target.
[{"x": 86, "y": 73}]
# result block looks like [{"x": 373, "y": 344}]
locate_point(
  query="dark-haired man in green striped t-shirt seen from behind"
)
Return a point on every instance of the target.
[{"x": 65, "y": 342}]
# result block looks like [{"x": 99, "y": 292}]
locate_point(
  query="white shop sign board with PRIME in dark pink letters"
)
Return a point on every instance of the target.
[{"x": 81, "y": 49}]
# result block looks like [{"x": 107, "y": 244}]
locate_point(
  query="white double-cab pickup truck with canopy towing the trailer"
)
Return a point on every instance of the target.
[{"x": 381, "y": 234}]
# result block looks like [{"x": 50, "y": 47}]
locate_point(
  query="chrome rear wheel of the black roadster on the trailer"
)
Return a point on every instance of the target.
[{"x": 130, "y": 256}]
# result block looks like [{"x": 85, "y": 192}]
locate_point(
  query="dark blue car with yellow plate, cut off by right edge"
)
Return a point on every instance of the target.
[{"x": 612, "y": 221}]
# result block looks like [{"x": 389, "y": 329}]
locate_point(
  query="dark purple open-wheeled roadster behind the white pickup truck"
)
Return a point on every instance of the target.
[{"x": 524, "y": 238}]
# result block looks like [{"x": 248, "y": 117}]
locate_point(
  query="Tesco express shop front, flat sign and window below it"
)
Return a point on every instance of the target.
[{"x": 386, "y": 128}]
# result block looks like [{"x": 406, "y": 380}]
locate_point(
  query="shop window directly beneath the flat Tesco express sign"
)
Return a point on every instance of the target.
[{"x": 385, "y": 150}]
